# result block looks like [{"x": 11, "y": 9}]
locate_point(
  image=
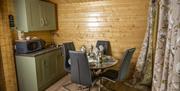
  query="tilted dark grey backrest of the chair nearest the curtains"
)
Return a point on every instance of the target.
[{"x": 125, "y": 64}]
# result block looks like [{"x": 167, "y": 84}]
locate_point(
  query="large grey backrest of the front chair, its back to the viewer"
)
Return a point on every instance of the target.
[{"x": 80, "y": 72}]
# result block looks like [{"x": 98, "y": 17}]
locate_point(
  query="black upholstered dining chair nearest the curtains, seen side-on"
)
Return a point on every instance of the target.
[{"x": 120, "y": 75}]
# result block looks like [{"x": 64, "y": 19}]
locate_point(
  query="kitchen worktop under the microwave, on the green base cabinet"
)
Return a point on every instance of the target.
[{"x": 40, "y": 52}]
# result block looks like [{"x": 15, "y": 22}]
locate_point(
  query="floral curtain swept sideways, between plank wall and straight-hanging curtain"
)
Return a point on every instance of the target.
[{"x": 143, "y": 72}]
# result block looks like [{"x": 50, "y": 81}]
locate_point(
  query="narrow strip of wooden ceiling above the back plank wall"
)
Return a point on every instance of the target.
[{"x": 76, "y": 1}]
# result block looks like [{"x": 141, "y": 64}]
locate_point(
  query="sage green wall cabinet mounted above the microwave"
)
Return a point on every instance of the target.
[{"x": 35, "y": 15}]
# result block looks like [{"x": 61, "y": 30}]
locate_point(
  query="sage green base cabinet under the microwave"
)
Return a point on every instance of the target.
[{"x": 37, "y": 71}]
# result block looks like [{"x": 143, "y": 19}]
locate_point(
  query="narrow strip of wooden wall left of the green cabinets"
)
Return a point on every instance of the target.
[{"x": 8, "y": 79}]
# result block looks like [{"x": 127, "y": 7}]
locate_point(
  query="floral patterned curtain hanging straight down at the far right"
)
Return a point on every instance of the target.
[{"x": 166, "y": 75}]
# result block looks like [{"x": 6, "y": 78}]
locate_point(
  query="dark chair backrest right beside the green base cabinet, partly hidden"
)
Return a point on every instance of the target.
[{"x": 66, "y": 48}]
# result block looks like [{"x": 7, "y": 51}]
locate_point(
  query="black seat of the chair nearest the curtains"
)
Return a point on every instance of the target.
[{"x": 110, "y": 74}]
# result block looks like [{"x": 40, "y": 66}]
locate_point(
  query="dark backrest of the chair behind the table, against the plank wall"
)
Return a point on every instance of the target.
[{"x": 106, "y": 45}]
